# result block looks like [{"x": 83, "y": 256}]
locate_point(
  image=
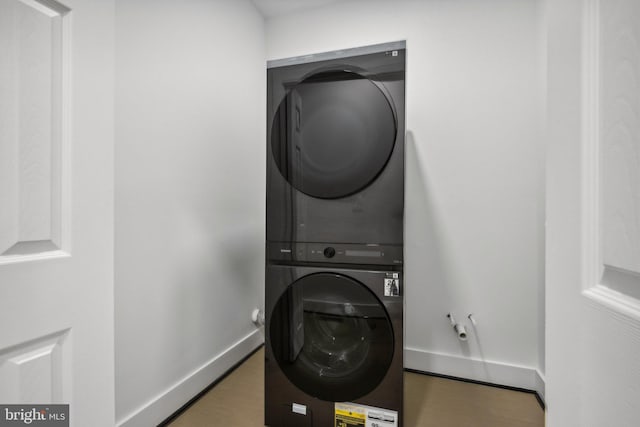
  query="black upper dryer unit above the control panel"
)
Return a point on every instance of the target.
[{"x": 335, "y": 147}]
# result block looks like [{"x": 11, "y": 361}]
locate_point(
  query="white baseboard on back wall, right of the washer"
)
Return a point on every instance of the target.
[{"x": 476, "y": 370}]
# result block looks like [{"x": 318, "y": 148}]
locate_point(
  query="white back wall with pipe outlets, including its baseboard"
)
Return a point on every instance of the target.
[{"x": 475, "y": 201}]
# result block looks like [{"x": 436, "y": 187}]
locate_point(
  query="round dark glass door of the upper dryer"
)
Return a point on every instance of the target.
[{"x": 333, "y": 134}]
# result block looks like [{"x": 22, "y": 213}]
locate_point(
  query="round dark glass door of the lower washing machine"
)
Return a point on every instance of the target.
[{"x": 332, "y": 337}]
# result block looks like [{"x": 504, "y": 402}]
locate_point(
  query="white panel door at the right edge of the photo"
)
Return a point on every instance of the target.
[{"x": 593, "y": 214}]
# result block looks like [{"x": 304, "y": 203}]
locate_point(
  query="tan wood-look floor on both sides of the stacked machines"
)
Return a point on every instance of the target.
[{"x": 238, "y": 401}]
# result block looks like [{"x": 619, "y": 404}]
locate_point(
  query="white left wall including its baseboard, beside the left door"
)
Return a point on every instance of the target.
[{"x": 190, "y": 101}]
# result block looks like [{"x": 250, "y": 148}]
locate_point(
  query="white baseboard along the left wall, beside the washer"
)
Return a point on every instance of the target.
[{"x": 163, "y": 405}]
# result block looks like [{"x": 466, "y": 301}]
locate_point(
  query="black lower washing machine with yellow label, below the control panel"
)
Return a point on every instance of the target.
[{"x": 334, "y": 347}]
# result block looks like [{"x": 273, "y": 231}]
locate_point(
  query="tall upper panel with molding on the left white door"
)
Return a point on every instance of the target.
[{"x": 33, "y": 103}]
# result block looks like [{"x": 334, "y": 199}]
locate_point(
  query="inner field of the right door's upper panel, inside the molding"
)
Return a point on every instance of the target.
[{"x": 620, "y": 144}]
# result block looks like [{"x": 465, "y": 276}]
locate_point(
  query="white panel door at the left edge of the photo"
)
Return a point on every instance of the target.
[{"x": 56, "y": 206}]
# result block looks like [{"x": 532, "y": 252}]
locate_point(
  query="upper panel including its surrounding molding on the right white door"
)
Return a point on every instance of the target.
[{"x": 611, "y": 157}]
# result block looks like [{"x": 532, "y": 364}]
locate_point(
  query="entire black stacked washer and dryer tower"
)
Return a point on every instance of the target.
[{"x": 334, "y": 252}]
